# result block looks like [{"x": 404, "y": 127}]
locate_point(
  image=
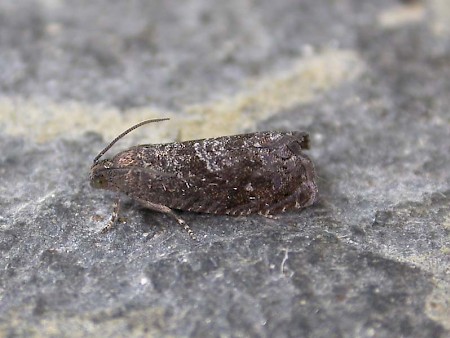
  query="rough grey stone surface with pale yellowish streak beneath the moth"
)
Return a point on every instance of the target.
[{"x": 369, "y": 80}]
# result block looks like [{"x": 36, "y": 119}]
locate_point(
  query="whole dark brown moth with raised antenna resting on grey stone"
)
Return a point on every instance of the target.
[{"x": 263, "y": 172}]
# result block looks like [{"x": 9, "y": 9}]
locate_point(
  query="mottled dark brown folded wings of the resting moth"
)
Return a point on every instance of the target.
[{"x": 234, "y": 175}]
